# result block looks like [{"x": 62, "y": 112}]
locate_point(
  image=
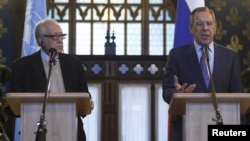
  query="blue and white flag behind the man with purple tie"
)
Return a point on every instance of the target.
[{"x": 184, "y": 9}]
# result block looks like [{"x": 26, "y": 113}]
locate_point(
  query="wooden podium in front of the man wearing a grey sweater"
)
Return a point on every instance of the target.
[{"x": 60, "y": 114}]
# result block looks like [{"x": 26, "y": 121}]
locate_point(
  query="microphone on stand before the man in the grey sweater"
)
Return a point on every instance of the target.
[{"x": 42, "y": 130}]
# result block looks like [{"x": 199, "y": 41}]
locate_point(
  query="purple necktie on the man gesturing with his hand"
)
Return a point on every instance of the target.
[{"x": 204, "y": 68}]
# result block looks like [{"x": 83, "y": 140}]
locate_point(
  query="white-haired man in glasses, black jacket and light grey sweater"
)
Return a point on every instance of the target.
[{"x": 29, "y": 73}]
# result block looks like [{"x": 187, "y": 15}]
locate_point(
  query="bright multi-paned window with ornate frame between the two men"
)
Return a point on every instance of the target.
[{"x": 138, "y": 27}]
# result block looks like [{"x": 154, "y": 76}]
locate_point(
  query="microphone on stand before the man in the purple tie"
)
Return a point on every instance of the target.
[{"x": 218, "y": 118}]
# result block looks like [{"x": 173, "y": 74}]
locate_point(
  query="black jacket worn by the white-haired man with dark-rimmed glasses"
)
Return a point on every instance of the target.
[{"x": 28, "y": 75}]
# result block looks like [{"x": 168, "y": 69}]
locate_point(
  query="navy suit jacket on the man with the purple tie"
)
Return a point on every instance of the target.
[{"x": 183, "y": 62}]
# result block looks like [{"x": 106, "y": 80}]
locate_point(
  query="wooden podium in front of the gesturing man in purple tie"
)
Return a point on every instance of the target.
[{"x": 198, "y": 111}]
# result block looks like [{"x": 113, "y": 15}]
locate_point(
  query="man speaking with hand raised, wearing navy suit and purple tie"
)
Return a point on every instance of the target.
[{"x": 183, "y": 71}]
